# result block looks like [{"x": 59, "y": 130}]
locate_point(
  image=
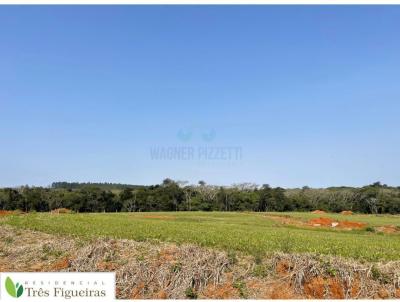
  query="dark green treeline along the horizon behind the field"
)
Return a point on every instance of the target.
[{"x": 179, "y": 196}]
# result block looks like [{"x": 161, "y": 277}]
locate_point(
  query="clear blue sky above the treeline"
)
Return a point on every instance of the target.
[{"x": 310, "y": 94}]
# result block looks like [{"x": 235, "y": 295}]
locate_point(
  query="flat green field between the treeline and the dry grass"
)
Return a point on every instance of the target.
[{"x": 251, "y": 233}]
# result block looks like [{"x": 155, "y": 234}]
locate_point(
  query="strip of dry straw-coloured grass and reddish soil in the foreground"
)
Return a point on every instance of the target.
[{"x": 160, "y": 270}]
